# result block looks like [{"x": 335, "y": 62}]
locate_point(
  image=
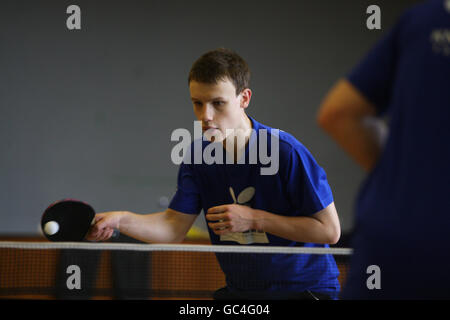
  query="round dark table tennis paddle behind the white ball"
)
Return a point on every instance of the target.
[{"x": 68, "y": 220}]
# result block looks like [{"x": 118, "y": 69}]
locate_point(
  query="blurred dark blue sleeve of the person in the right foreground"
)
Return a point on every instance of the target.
[{"x": 374, "y": 75}]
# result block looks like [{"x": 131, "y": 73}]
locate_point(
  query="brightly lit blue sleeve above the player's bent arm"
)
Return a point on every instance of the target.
[{"x": 307, "y": 185}]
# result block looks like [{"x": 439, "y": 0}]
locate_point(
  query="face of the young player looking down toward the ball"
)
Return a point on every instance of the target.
[{"x": 217, "y": 106}]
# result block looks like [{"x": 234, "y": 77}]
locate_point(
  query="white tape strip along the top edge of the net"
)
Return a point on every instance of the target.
[{"x": 172, "y": 247}]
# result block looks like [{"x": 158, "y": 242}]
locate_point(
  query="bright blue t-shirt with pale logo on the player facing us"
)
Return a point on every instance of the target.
[{"x": 298, "y": 188}]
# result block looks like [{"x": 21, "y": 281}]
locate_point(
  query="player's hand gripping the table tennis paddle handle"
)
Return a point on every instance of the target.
[{"x": 104, "y": 225}]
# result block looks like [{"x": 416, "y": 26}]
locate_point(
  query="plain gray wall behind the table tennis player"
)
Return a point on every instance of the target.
[{"x": 88, "y": 114}]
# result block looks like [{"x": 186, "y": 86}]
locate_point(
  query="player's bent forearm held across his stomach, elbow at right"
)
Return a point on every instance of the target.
[{"x": 300, "y": 229}]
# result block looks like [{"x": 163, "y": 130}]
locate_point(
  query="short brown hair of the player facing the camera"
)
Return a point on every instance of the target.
[{"x": 220, "y": 64}]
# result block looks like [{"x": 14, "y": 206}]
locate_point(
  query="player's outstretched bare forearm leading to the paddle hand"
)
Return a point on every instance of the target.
[{"x": 151, "y": 228}]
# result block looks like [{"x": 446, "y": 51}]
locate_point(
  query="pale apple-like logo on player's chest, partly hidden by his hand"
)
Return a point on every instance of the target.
[{"x": 250, "y": 236}]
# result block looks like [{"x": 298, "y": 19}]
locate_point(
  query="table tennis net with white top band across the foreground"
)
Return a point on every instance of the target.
[{"x": 41, "y": 270}]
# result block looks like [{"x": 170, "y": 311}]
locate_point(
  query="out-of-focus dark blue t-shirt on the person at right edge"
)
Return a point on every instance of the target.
[{"x": 402, "y": 217}]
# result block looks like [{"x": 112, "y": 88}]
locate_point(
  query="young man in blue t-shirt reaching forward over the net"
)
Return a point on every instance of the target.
[{"x": 292, "y": 206}]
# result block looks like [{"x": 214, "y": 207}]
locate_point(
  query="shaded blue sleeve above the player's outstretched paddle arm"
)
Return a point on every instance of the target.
[{"x": 187, "y": 197}]
